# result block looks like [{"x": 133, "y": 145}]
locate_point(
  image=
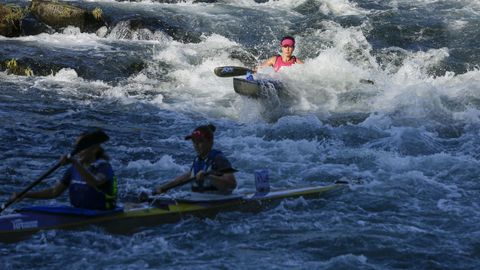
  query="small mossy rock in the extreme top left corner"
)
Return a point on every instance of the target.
[{"x": 10, "y": 20}]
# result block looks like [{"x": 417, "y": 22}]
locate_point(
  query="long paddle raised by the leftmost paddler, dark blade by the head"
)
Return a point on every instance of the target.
[{"x": 90, "y": 139}]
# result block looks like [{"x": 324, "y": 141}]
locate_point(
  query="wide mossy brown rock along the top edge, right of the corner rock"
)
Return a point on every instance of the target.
[{"x": 60, "y": 15}]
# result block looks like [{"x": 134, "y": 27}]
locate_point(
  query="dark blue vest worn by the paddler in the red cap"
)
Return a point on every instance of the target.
[{"x": 205, "y": 165}]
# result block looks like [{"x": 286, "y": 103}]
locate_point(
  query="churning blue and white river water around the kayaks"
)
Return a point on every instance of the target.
[{"x": 409, "y": 144}]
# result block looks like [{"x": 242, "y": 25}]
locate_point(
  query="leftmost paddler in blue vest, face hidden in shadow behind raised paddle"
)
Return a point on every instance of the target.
[{"x": 89, "y": 179}]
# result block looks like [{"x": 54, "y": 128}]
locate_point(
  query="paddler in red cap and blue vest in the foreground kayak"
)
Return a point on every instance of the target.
[{"x": 206, "y": 166}]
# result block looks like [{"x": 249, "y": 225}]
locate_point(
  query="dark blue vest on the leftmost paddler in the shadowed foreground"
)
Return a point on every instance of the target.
[{"x": 83, "y": 195}]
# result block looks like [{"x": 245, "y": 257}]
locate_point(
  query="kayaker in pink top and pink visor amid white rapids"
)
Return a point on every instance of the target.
[{"x": 285, "y": 59}]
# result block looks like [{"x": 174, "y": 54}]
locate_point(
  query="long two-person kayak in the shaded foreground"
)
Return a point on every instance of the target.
[{"x": 159, "y": 210}]
